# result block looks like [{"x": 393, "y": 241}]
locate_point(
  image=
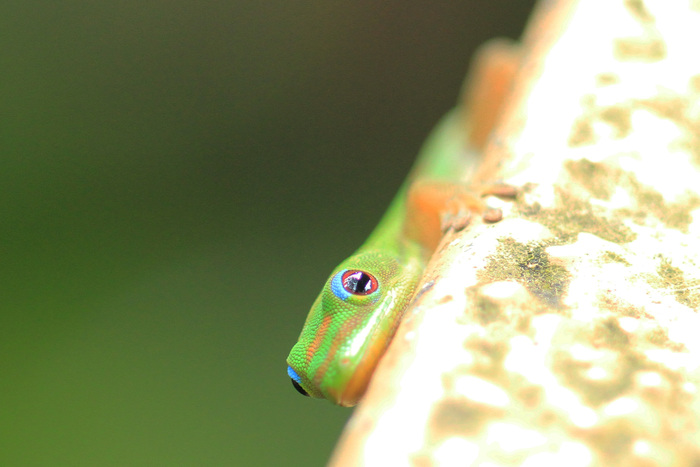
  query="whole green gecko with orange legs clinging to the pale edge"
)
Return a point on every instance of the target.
[{"x": 354, "y": 318}]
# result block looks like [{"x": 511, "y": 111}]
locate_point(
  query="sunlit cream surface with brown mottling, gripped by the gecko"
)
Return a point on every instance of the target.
[{"x": 566, "y": 334}]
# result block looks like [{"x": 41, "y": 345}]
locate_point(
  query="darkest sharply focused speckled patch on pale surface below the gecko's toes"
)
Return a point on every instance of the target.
[{"x": 529, "y": 265}]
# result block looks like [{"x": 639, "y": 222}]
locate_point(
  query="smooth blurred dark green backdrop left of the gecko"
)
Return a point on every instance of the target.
[{"x": 177, "y": 179}]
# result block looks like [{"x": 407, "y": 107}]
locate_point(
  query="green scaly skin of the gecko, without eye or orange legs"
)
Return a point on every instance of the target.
[{"x": 346, "y": 334}]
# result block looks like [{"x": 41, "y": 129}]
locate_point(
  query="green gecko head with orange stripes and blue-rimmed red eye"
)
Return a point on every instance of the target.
[{"x": 349, "y": 327}]
